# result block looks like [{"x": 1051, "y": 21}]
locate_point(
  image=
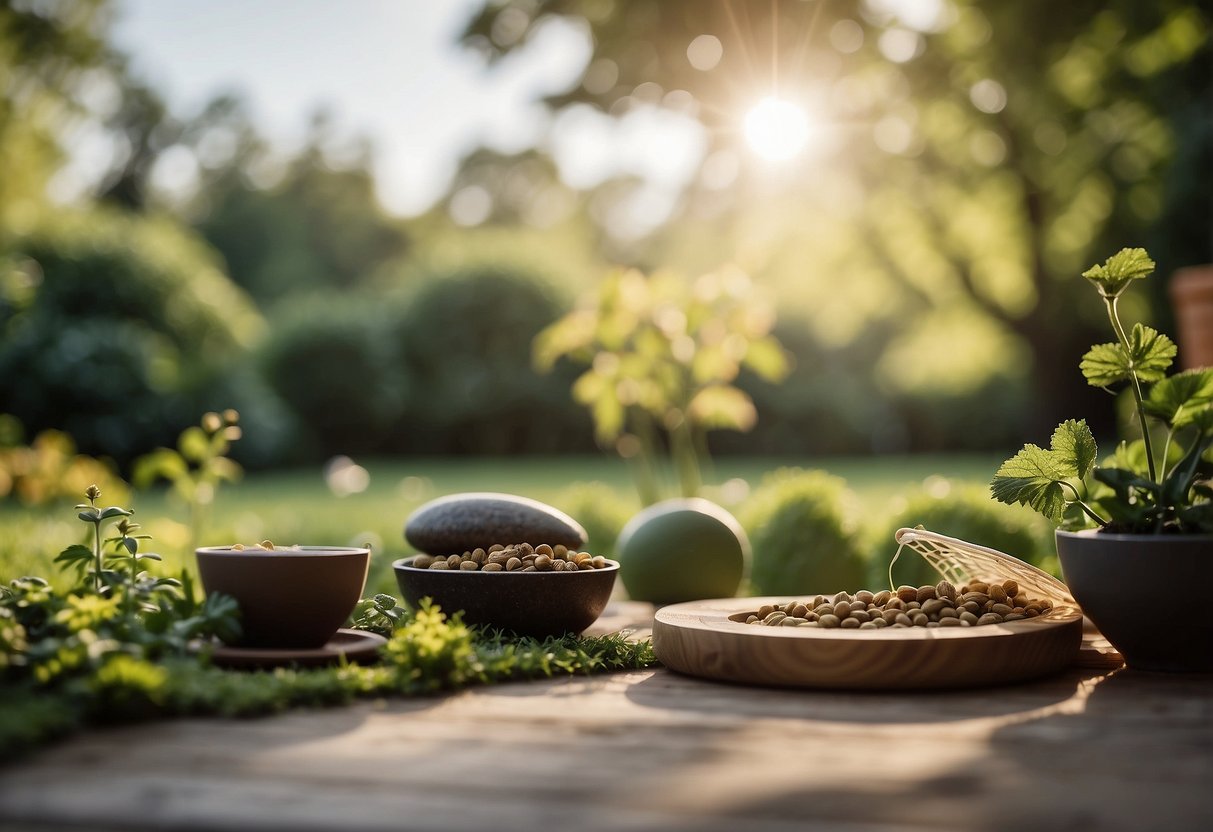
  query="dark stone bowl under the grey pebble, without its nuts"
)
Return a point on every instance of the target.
[{"x": 538, "y": 605}]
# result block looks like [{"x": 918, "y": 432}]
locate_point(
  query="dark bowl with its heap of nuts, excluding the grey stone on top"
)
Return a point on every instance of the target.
[{"x": 529, "y": 590}]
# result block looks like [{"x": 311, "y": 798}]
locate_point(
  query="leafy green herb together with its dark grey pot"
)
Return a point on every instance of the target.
[{"x": 1136, "y": 531}]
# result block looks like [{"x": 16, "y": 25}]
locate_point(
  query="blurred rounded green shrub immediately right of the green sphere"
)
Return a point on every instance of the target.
[{"x": 802, "y": 539}]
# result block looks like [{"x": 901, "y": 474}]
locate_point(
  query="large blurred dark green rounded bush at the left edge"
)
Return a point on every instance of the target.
[{"x": 124, "y": 323}]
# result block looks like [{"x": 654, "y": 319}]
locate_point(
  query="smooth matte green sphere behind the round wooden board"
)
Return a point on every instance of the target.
[{"x": 682, "y": 550}]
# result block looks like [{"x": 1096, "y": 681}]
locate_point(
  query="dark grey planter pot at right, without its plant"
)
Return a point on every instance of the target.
[{"x": 1143, "y": 592}]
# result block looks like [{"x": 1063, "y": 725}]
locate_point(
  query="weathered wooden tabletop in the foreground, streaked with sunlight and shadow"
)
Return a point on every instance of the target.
[{"x": 1086, "y": 750}]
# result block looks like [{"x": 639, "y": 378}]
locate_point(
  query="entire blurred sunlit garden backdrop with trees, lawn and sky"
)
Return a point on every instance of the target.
[{"x": 596, "y": 253}]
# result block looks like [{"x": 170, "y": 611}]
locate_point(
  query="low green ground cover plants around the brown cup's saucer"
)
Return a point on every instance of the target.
[{"x": 122, "y": 645}]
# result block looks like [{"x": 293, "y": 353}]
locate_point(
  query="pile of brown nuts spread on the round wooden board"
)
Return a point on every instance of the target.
[{"x": 941, "y": 606}]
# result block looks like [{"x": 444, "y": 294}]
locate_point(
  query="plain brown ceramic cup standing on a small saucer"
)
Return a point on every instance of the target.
[{"x": 289, "y": 599}]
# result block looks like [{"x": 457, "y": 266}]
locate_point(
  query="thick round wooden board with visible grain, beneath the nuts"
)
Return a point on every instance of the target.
[{"x": 699, "y": 639}]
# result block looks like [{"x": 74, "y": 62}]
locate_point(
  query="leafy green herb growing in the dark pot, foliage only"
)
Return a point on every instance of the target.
[{"x": 1159, "y": 483}]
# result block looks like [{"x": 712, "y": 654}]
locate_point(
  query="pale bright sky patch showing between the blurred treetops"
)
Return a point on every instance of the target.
[{"x": 394, "y": 71}]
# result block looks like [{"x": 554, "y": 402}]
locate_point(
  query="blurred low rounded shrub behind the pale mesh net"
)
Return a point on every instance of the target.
[{"x": 959, "y": 511}]
